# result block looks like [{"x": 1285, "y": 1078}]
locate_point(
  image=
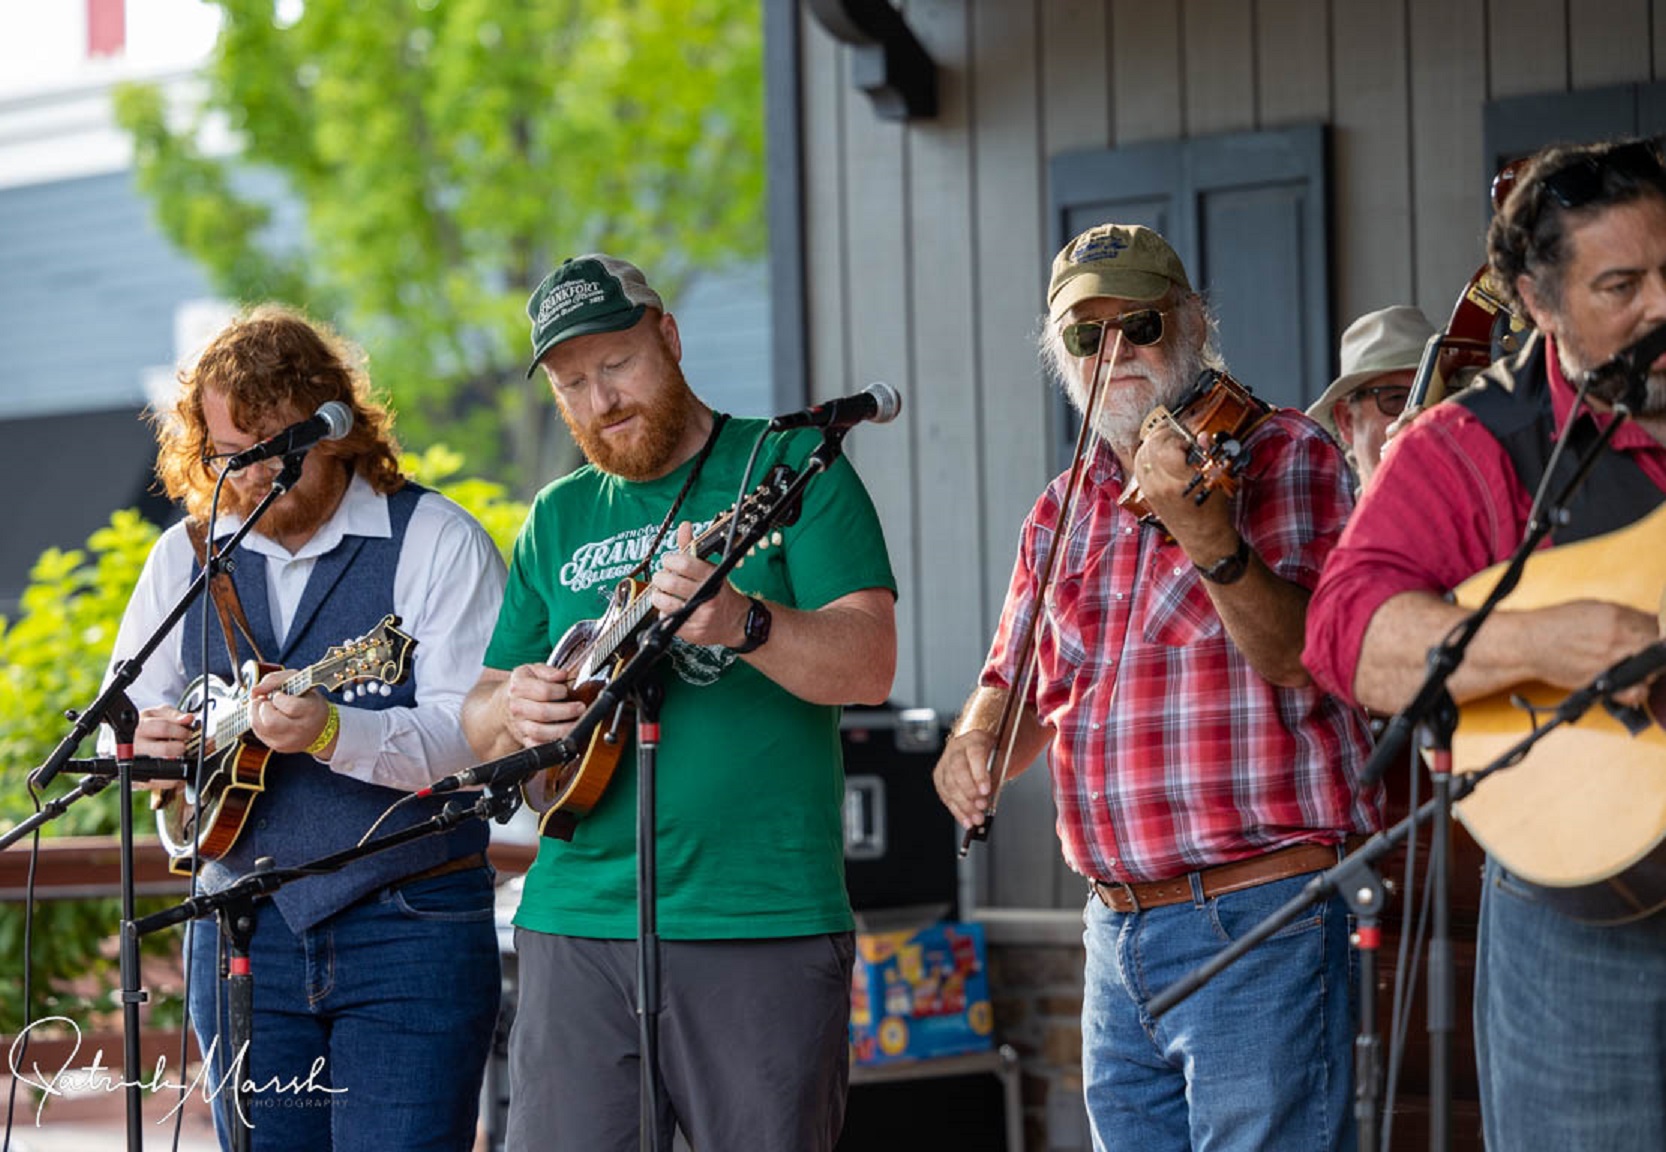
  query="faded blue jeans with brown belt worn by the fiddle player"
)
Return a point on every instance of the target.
[{"x": 1259, "y": 1058}]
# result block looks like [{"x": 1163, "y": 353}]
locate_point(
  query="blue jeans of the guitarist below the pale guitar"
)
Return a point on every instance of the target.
[{"x": 1570, "y": 1026}]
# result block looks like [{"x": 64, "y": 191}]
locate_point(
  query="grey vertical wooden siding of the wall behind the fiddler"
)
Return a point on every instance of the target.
[{"x": 927, "y": 243}]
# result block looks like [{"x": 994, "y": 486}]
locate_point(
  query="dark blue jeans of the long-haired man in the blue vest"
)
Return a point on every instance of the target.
[{"x": 371, "y": 1029}]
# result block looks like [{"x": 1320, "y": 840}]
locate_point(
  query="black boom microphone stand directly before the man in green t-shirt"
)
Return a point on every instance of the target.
[{"x": 627, "y": 686}]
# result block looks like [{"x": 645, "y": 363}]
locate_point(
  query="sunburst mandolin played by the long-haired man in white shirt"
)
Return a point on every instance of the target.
[{"x": 206, "y": 821}]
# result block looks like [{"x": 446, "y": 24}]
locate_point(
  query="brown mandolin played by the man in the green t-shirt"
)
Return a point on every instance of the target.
[{"x": 597, "y": 649}]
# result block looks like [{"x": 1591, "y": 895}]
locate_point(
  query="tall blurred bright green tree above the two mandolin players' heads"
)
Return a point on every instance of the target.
[{"x": 446, "y": 156}]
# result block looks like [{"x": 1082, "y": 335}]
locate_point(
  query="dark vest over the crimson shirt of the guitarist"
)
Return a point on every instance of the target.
[{"x": 1512, "y": 399}]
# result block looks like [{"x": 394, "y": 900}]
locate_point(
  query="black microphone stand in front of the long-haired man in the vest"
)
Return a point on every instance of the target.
[{"x": 114, "y": 708}]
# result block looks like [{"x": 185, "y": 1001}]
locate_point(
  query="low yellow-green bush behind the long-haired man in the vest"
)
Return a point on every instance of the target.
[{"x": 52, "y": 658}]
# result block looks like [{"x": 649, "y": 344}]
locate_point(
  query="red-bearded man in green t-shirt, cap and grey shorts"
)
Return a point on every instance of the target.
[{"x": 757, "y": 934}]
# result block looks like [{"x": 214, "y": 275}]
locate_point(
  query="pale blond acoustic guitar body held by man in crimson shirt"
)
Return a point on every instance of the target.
[{"x": 1585, "y": 814}]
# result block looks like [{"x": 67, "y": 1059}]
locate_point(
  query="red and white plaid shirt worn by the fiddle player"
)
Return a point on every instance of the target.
[{"x": 1172, "y": 753}]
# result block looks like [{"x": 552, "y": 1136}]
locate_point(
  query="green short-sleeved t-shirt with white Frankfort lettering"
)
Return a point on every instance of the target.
[{"x": 751, "y": 778}]
